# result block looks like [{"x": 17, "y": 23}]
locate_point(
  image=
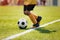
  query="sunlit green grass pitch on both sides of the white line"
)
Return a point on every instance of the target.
[{"x": 9, "y": 16}]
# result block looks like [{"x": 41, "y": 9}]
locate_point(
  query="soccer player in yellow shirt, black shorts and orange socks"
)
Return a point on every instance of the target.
[{"x": 29, "y": 6}]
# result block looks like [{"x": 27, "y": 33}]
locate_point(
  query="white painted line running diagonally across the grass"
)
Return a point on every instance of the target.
[{"x": 27, "y": 31}]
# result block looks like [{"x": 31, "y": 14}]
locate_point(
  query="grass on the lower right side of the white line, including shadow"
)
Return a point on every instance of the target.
[{"x": 50, "y": 32}]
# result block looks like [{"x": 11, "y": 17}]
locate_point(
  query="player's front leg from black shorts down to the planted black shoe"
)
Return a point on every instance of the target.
[{"x": 27, "y": 12}]
